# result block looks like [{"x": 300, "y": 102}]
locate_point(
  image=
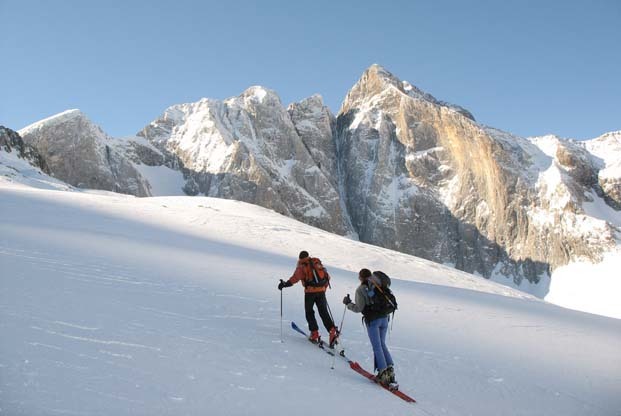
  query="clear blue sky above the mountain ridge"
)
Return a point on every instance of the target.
[{"x": 528, "y": 67}]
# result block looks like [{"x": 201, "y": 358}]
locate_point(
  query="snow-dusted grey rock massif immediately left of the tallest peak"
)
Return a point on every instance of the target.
[{"x": 250, "y": 148}]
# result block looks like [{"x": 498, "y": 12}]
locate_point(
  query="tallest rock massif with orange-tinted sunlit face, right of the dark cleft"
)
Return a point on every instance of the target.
[{"x": 423, "y": 177}]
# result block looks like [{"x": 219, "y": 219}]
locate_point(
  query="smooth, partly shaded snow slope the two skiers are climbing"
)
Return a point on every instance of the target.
[{"x": 114, "y": 305}]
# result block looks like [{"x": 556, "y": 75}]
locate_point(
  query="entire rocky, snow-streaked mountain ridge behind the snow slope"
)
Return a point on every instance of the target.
[{"x": 395, "y": 168}]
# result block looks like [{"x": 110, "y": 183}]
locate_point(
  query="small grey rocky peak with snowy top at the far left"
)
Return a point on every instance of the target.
[{"x": 81, "y": 154}]
